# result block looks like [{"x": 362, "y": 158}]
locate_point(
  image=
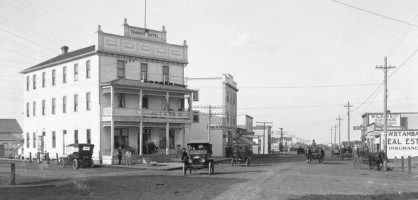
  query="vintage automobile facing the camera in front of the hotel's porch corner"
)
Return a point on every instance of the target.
[{"x": 199, "y": 157}]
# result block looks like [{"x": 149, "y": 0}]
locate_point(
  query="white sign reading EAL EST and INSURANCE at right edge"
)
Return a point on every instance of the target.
[{"x": 402, "y": 143}]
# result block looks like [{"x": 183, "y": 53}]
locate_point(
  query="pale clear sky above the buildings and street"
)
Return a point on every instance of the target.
[{"x": 296, "y": 62}]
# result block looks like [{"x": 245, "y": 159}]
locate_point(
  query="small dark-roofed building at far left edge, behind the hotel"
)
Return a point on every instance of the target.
[{"x": 10, "y": 138}]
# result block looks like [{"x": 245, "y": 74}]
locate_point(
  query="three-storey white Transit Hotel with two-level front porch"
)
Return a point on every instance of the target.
[{"x": 127, "y": 90}]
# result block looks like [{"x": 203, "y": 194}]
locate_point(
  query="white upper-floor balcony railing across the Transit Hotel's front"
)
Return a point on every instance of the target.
[{"x": 145, "y": 113}]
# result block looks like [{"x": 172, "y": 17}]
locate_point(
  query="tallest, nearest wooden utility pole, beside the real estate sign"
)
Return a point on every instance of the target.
[{"x": 385, "y": 106}]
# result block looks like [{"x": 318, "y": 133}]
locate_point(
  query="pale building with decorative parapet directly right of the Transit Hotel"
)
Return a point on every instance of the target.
[{"x": 218, "y": 94}]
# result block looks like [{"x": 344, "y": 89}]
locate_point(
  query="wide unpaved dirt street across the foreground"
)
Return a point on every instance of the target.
[{"x": 269, "y": 177}]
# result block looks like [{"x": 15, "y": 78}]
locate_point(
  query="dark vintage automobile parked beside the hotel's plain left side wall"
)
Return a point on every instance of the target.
[{"x": 77, "y": 155}]
